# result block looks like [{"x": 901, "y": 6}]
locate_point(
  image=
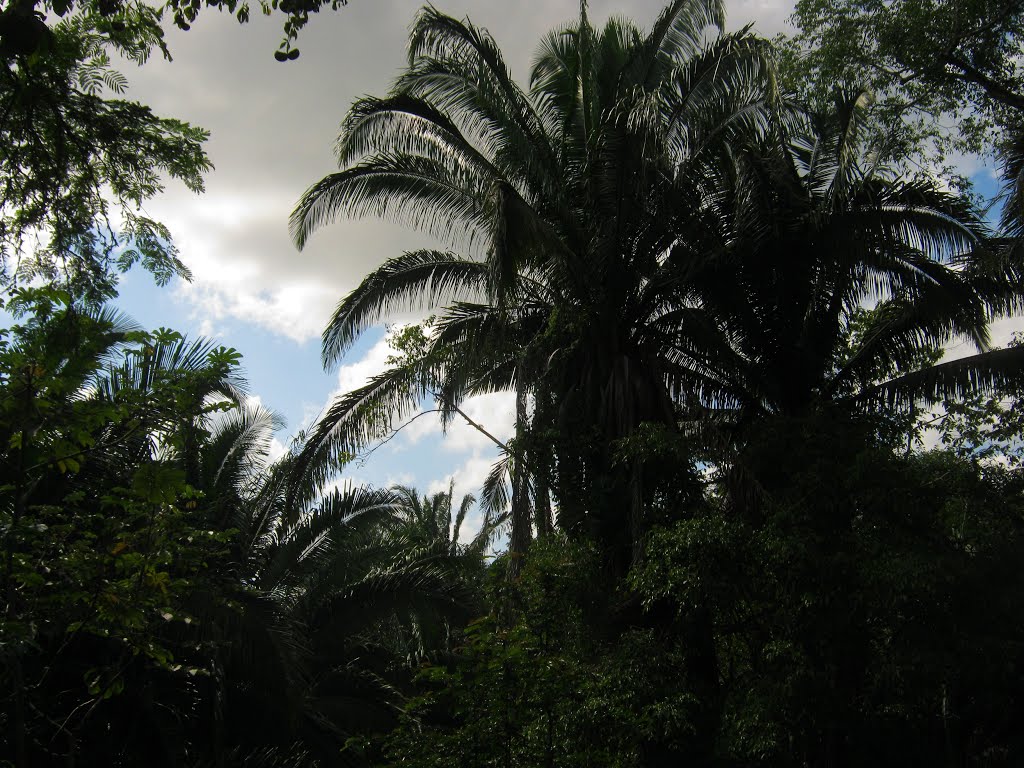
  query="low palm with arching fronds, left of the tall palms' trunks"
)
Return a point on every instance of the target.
[{"x": 328, "y": 601}]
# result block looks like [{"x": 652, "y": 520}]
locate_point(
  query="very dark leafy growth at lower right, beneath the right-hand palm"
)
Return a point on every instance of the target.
[{"x": 847, "y": 625}]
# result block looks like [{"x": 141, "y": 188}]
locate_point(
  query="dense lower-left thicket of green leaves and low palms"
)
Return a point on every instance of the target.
[{"x": 169, "y": 591}]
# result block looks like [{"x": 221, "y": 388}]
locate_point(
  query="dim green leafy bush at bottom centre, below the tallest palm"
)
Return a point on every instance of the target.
[{"x": 528, "y": 686}]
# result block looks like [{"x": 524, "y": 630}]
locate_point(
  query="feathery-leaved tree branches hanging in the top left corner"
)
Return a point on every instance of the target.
[{"x": 77, "y": 159}]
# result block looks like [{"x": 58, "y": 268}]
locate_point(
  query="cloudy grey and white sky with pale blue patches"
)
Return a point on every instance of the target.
[{"x": 273, "y": 129}]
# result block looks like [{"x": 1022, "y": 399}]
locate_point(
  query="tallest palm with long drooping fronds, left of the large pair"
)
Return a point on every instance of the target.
[{"x": 557, "y": 197}]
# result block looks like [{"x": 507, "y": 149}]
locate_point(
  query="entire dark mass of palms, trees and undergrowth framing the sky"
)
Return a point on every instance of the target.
[{"x": 751, "y": 516}]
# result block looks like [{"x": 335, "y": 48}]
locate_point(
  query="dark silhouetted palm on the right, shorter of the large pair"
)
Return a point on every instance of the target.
[{"x": 818, "y": 278}]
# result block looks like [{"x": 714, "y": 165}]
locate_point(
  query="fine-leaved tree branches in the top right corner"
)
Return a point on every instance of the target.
[{"x": 947, "y": 74}]
